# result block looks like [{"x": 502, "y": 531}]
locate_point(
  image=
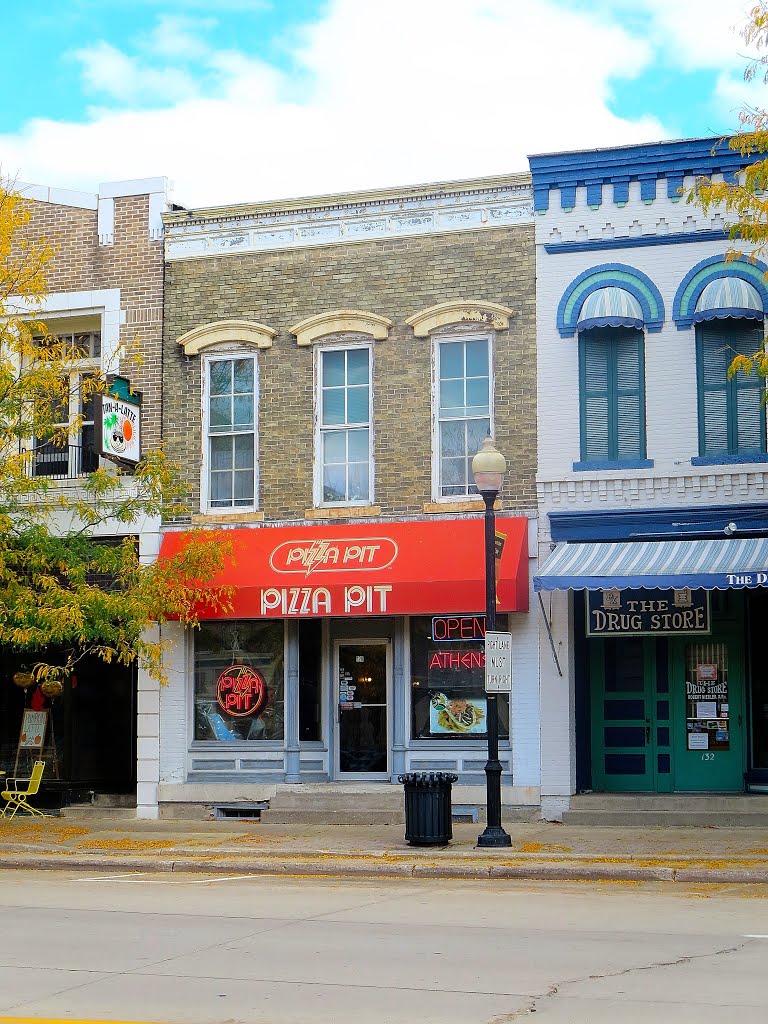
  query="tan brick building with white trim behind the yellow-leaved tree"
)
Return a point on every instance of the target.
[{"x": 105, "y": 288}]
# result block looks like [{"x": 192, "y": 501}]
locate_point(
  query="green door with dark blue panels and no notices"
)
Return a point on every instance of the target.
[{"x": 630, "y": 716}]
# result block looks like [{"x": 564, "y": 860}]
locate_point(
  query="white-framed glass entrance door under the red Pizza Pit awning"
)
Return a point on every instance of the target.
[{"x": 362, "y": 702}]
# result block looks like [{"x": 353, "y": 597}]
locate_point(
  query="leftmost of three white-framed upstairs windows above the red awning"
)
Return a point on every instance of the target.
[{"x": 231, "y": 429}]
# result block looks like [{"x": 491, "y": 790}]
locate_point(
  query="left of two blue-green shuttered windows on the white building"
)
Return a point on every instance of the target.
[{"x": 612, "y": 371}]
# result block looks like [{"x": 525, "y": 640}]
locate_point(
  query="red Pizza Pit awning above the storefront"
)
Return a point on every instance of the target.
[{"x": 398, "y": 569}]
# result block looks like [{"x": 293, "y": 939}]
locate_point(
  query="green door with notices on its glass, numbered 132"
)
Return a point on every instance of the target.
[{"x": 708, "y": 692}]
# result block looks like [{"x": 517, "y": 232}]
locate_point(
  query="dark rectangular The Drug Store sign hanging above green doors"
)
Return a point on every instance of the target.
[{"x": 648, "y": 613}]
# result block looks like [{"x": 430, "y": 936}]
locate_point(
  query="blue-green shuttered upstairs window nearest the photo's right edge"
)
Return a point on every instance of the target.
[{"x": 732, "y": 413}]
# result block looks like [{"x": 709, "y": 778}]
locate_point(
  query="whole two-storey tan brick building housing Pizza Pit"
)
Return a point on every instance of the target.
[{"x": 331, "y": 366}]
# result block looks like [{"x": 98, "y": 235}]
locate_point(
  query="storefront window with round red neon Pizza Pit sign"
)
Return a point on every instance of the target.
[{"x": 239, "y": 681}]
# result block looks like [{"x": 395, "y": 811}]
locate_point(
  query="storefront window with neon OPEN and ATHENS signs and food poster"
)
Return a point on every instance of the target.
[{"x": 448, "y": 675}]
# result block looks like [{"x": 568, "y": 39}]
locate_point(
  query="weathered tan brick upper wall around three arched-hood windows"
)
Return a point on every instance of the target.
[{"x": 396, "y": 279}]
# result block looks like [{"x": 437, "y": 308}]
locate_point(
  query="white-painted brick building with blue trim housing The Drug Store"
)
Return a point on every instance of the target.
[{"x": 653, "y": 474}]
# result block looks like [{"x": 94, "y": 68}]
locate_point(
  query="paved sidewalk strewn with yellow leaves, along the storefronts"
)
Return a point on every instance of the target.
[{"x": 540, "y": 850}]
